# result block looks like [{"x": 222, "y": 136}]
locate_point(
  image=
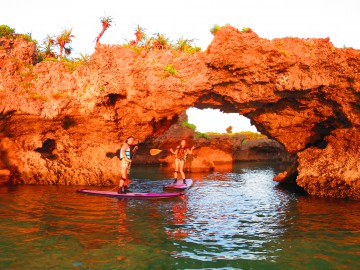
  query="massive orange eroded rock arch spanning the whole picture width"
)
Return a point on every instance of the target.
[{"x": 302, "y": 92}]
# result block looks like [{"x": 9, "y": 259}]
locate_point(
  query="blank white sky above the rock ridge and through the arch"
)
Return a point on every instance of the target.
[{"x": 191, "y": 19}]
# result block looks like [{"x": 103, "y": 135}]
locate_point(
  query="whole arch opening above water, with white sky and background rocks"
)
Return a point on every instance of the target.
[{"x": 221, "y": 140}]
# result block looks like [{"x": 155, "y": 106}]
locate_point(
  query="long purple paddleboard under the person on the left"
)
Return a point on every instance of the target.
[{"x": 109, "y": 193}]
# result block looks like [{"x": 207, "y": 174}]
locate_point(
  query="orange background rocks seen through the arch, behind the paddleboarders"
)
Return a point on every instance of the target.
[{"x": 212, "y": 151}]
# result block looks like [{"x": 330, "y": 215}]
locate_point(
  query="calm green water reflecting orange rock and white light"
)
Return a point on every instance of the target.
[{"x": 238, "y": 219}]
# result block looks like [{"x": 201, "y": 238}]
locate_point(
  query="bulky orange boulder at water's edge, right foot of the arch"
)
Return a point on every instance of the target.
[{"x": 340, "y": 178}]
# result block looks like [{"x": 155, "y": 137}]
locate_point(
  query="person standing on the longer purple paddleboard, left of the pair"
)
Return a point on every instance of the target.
[{"x": 126, "y": 154}]
